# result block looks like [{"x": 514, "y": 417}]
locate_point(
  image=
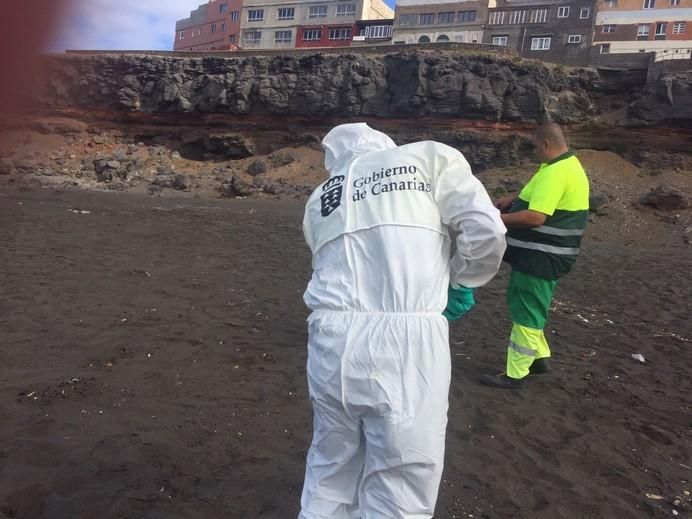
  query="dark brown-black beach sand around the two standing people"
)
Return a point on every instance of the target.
[{"x": 153, "y": 365}]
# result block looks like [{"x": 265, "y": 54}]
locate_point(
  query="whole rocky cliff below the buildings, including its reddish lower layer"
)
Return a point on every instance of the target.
[{"x": 218, "y": 110}]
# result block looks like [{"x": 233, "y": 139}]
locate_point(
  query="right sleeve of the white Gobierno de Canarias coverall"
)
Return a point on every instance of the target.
[{"x": 466, "y": 209}]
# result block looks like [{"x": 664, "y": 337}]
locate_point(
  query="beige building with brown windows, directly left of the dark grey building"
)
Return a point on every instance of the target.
[{"x": 426, "y": 21}]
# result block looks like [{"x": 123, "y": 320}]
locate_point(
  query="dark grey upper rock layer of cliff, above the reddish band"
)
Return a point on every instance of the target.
[{"x": 446, "y": 84}]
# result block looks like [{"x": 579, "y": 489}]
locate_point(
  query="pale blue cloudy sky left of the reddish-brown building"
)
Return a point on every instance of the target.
[{"x": 123, "y": 24}]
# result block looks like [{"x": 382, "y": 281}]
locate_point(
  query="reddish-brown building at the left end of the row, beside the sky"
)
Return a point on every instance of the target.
[{"x": 212, "y": 26}]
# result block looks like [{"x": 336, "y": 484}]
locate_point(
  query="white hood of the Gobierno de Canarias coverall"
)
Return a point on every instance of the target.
[{"x": 345, "y": 142}]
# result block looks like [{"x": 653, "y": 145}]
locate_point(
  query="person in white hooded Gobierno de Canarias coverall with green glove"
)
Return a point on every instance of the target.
[{"x": 378, "y": 350}]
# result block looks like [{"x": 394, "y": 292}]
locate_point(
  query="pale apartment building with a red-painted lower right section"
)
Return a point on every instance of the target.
[{"x": 272, "y": 24}]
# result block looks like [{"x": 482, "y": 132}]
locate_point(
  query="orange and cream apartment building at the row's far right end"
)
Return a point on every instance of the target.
[{"x": 628, "y": 26}]
